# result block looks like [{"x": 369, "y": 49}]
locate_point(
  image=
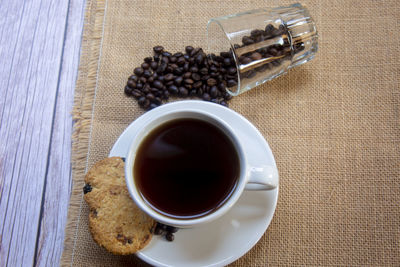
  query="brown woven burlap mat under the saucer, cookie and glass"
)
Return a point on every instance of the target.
[{"x": 332, "y": 124}]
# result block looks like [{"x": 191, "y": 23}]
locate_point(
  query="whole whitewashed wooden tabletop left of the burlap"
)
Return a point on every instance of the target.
[{"x": 39, "y": 55}]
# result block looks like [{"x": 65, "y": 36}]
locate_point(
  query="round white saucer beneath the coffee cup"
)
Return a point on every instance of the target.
[{"x": 228, "y": 238}]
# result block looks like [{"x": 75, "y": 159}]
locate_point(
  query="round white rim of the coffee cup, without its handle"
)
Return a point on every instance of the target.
[{"x": 153, "y": 124}]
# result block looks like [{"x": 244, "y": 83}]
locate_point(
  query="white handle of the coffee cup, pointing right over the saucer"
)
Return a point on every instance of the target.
[{"x": 262, "y": 178}]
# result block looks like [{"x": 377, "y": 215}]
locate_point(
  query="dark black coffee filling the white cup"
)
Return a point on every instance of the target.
[{"x": 186, "y": 168}]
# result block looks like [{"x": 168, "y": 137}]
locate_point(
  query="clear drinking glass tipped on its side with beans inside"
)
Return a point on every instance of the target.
[{"x": 263, "y": 43}]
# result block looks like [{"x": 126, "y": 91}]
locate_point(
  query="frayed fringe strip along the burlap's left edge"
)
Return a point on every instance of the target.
[{"x": 82, "y": 115}]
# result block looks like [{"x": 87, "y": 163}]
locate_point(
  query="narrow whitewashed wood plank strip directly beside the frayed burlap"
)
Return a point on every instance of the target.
[{"x": 58, "y": 180}]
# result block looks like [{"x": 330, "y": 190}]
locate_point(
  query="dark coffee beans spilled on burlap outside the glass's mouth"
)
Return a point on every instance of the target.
[{"x": 189, "y": 74}]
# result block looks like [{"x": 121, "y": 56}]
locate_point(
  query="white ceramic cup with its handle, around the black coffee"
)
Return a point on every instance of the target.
[{"x": 250, "y": 177}]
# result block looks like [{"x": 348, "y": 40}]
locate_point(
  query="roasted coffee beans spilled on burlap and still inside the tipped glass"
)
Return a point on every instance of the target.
[{"x": 193, "y": 73}]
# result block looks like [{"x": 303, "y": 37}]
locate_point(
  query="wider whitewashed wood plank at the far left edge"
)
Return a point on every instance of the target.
[{"x": 31, "y": 44}]
